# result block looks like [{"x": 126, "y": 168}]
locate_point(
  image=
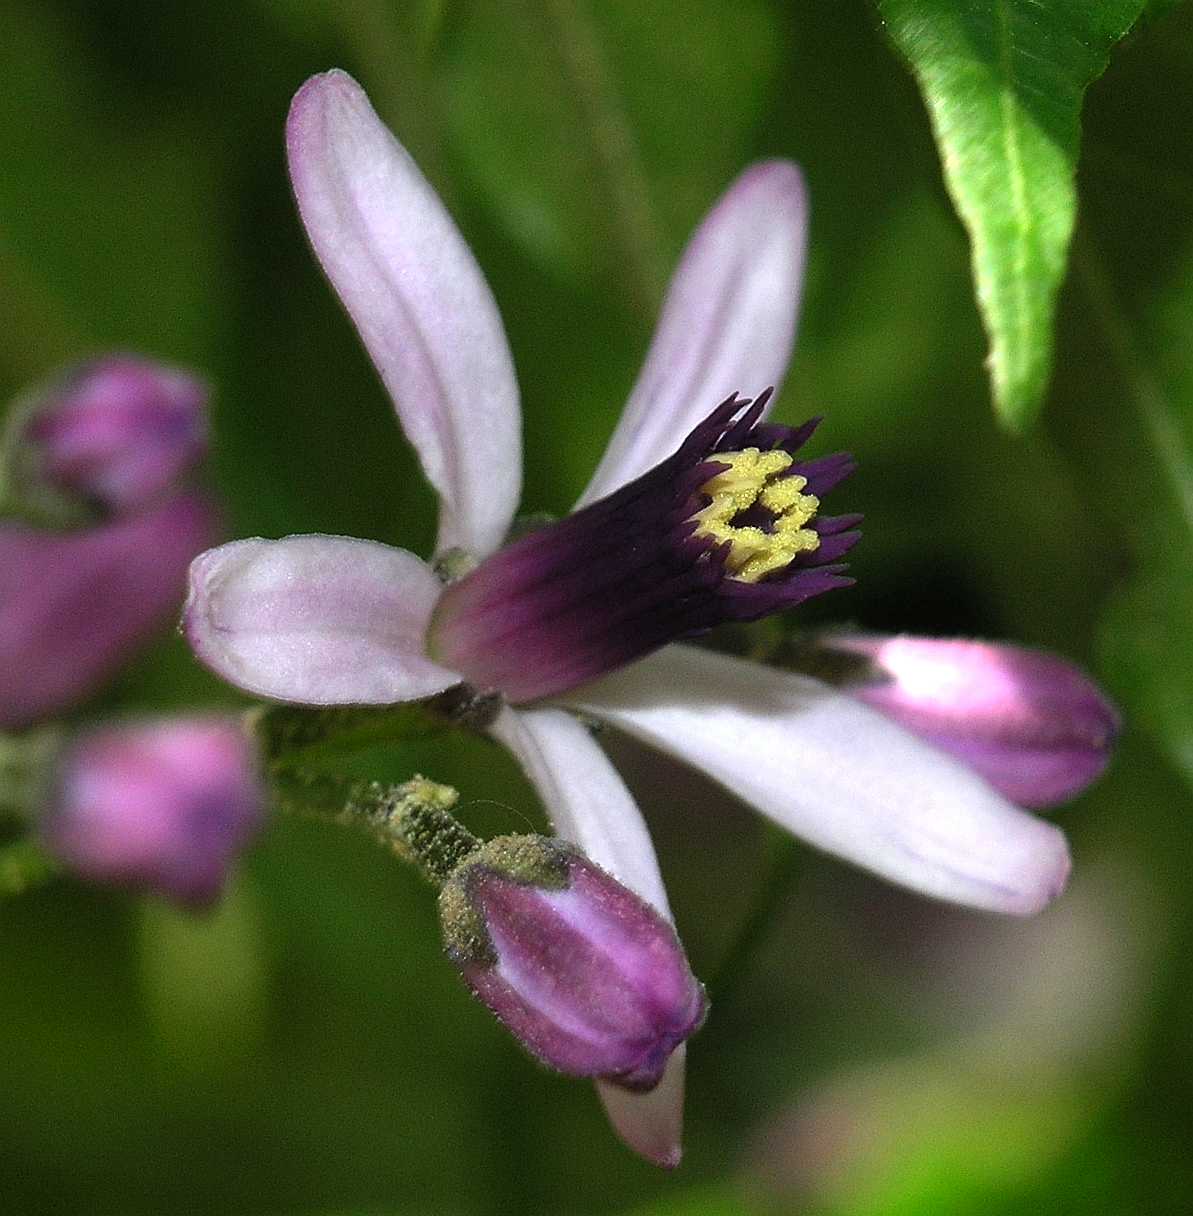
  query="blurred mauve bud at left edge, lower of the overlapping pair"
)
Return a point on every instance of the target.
[{"x": 75, "y": 606}]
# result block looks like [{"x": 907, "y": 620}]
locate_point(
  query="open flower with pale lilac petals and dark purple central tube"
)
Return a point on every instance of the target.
[{"x": 672, "y": 536}]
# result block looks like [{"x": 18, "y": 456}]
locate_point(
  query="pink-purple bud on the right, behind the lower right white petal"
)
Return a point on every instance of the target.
[{"x": 1032, "y": 725}]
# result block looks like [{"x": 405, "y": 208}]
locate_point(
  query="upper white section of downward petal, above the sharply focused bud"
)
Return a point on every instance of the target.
[{"x": 584, "y": 796}]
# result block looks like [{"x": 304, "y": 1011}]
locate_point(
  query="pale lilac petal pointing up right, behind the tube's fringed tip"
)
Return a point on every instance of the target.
[{"x": 728, "y": 323}]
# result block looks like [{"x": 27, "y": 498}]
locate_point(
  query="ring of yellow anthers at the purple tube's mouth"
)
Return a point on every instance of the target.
[{"x": 758, "y": 513}]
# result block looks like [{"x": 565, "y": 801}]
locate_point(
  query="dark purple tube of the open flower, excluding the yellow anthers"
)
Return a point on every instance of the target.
[{"x": 583, "y": 596}]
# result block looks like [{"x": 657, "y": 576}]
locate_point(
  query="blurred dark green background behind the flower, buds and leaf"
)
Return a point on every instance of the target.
[{"x": 305, "y": 1050}]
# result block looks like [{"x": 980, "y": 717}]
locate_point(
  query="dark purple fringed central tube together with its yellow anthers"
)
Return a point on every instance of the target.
[{"x": 728, "y": 528}]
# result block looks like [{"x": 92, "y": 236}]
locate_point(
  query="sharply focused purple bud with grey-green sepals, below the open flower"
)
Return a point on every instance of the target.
[{"x": 586, "y": 973}]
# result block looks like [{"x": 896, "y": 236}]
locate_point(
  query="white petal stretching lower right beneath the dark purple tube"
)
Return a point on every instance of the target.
[{"x": 840, "y": 775}]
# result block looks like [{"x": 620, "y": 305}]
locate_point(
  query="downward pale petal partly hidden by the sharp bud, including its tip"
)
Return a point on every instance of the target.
[{"x": 589, "y": 804}]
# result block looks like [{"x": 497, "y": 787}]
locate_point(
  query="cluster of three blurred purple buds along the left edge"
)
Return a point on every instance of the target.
[{"x": 102, "y": 526}]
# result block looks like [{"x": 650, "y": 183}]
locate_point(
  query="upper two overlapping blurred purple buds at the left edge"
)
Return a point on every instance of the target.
[{"x": 108, "y": 449}]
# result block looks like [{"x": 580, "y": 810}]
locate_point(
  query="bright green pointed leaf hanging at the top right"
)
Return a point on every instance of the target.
[{"x": 1004, "y": 82}]
